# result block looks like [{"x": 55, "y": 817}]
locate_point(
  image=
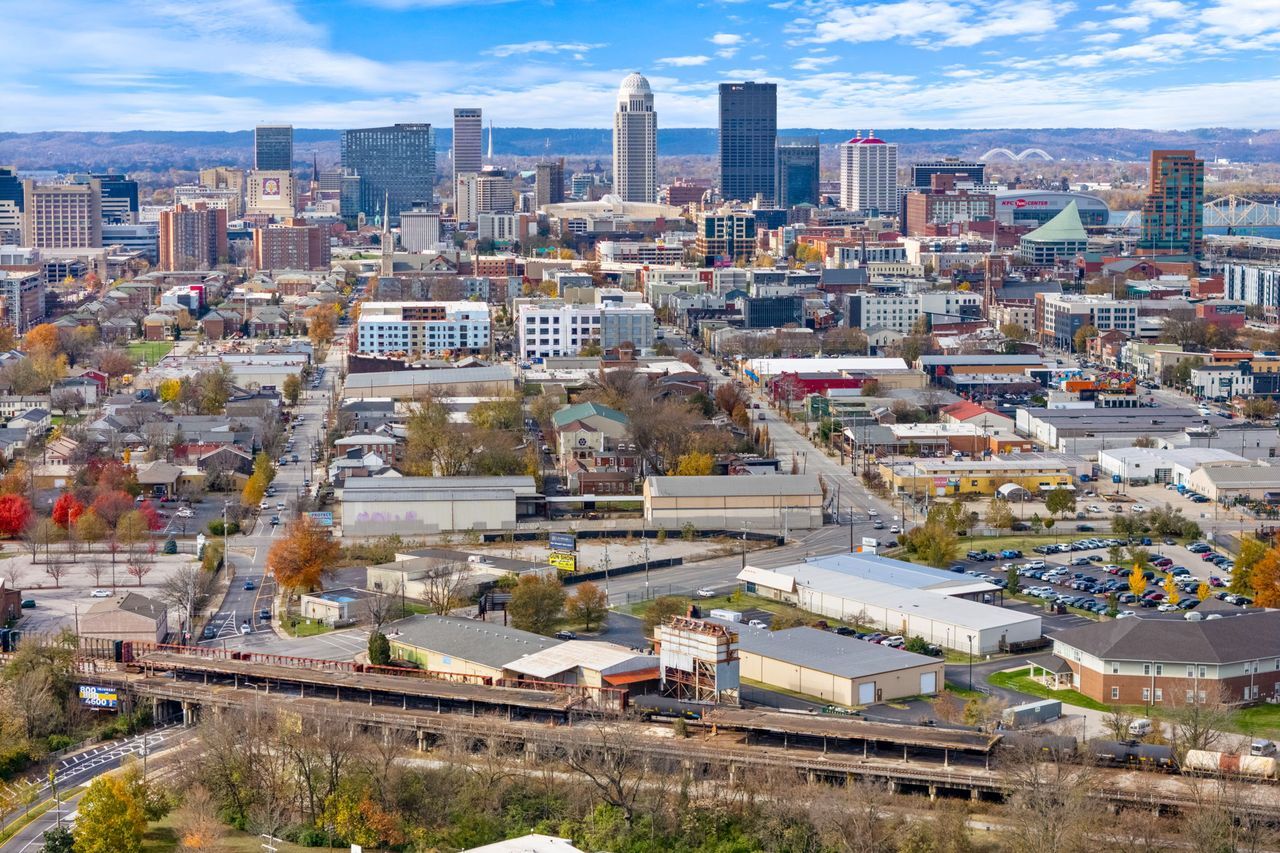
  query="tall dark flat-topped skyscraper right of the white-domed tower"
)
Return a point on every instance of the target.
[{"x": 748, "y": 135}]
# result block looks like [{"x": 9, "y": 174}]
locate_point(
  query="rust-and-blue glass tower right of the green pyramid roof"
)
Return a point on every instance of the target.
[{"x": 1173, "y": 215}]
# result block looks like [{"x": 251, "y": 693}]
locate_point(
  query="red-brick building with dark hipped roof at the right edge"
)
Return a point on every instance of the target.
[{"x": 1167, "y": 660}]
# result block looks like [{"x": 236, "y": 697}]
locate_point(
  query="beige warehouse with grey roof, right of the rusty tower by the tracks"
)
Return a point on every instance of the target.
[{"x": 836, "y": 669}]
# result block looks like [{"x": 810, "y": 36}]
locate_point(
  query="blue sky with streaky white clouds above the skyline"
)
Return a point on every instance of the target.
[{"x": 228, "y": 65}]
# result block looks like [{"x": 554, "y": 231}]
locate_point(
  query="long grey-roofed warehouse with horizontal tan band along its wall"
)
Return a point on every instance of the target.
[{"x": 784, "y": 503}]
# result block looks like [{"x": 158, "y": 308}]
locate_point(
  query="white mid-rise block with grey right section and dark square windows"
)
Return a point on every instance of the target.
[{"x": 554, "y": 329}]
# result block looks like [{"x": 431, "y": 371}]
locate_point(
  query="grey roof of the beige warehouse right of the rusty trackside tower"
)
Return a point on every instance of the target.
[{"x": 825, "y": 651}]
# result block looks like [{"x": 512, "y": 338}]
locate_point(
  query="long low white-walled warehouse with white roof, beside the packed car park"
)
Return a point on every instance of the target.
[{"x": 945, "y": 621}]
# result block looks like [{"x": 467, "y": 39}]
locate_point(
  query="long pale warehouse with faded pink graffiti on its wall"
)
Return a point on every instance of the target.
[{"x": 381, "y": 507}]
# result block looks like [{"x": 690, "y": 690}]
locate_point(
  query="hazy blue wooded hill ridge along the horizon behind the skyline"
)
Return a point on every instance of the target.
[{"x": 186, "y": 150}]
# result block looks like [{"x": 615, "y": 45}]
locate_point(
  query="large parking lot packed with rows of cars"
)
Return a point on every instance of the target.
[{"x": 1084, "y": 576}]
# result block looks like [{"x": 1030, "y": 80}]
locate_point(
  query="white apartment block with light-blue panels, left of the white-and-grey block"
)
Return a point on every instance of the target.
[{"x": 423, "y": 327}]
